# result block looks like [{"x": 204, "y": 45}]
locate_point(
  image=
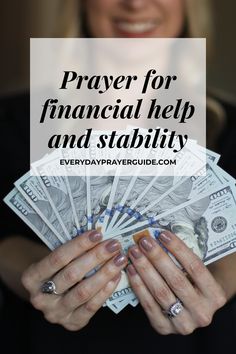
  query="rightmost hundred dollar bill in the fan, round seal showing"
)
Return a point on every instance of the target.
[{"x": 207, "y": 224}]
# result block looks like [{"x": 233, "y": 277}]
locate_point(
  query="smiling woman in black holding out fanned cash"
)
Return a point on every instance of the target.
[{"x": 76, "y": 306}]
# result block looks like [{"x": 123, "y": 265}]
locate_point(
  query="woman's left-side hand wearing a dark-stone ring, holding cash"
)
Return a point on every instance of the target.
[{"x": 67, "y": 266}]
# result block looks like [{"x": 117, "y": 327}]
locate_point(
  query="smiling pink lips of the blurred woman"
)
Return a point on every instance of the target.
[{"x": 136, "y": 29}]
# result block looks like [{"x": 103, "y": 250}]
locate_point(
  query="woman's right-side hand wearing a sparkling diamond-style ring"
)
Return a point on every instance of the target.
[{"x": 159, "y": 283}]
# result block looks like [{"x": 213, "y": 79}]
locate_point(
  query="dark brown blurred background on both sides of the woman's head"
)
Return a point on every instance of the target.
[{"x": 23, "y": 19}]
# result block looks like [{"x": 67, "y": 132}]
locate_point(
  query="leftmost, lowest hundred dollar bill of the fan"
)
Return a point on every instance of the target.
[{"x": 24, "y": 210}]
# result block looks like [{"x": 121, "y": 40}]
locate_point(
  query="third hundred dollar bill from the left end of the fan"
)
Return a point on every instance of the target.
[{"x": 55, "y": 188}]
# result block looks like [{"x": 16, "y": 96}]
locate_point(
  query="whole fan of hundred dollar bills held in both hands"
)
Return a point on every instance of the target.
[{"x": 200, "y": 209}]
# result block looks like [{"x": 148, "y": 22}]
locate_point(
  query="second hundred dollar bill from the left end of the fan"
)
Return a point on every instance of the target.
[{"x": 32, "y": 191}]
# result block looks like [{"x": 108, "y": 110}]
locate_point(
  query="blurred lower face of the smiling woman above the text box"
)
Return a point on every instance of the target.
[{"x": 134, "y": 19}]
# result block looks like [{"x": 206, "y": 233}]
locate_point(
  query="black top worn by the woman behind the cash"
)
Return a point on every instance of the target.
[{"x": 24, "y": 330}]
